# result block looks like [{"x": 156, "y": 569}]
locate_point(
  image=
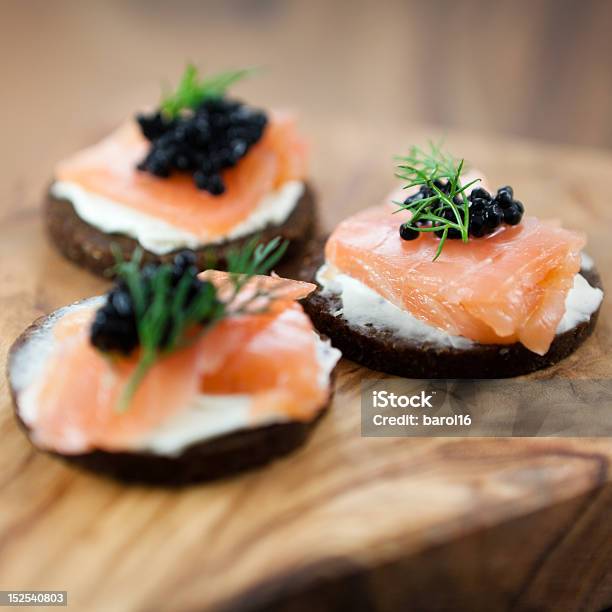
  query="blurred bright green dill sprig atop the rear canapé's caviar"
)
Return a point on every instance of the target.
[{"x": 193, "y": 90}]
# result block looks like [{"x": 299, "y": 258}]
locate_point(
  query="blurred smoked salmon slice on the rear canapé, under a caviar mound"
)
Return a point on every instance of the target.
[{"x": 108, "y": 169}]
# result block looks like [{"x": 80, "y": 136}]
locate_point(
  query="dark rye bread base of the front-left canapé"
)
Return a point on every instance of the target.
[{"x": 208, "y": 460}]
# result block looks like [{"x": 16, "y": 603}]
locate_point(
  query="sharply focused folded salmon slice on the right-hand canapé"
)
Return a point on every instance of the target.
[{"x": 505, "y": 288}]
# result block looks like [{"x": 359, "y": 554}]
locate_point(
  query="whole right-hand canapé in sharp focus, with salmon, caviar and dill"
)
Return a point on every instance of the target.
[{"x": 450, "y": 280}]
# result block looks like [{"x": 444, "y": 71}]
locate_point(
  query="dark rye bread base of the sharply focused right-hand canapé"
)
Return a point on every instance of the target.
[{"x": 382, "y": 350}]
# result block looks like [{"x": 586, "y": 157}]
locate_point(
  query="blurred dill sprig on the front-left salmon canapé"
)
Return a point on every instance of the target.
[{"x": 166, "y": 318}]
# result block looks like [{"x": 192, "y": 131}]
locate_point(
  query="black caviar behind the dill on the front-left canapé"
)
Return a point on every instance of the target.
[{"x": 114, "y": 327}]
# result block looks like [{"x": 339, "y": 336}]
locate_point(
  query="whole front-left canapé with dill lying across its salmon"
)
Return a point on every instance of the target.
[{"x": 174, "y": 377}]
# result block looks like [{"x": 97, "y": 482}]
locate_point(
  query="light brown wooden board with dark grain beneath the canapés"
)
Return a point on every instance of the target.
[{"x": 350, "y": 522}]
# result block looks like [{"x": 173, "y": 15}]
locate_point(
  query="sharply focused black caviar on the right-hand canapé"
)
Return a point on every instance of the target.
[{"x": 487, "y": 212}]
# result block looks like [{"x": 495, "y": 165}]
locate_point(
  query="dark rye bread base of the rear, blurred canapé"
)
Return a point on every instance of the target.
[{"x": 90, "y": 248}]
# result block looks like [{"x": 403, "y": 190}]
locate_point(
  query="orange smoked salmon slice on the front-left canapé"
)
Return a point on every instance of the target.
[{"x": 271, "y": 356}]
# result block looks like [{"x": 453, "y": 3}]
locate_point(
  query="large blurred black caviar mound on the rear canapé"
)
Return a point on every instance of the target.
[{"x": 211, "y": 138}]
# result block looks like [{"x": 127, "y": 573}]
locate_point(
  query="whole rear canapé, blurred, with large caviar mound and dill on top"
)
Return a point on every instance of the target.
[{"x": 202, "y": 172}]
